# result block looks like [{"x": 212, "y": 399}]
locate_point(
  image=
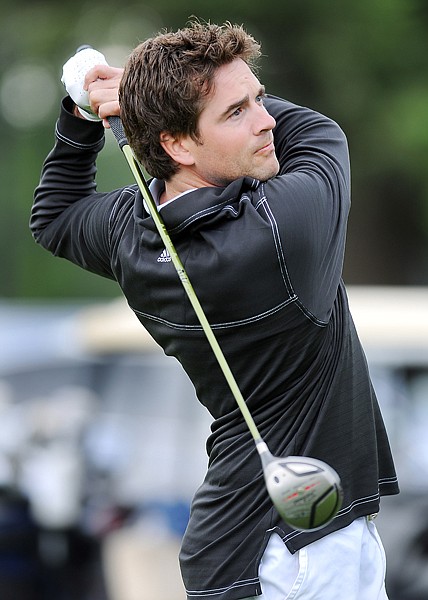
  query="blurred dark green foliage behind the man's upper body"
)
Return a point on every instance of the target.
[{"x": 363, "y": 63}]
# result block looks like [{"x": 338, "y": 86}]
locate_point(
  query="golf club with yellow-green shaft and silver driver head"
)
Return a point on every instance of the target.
[{"x": 306, "y": 492}]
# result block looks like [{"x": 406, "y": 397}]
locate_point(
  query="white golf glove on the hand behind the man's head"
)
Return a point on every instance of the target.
[{"x": 73, "y": 78}]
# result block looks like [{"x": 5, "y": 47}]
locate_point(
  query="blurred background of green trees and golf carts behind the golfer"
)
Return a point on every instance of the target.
[{"x": 101, "y": 438}]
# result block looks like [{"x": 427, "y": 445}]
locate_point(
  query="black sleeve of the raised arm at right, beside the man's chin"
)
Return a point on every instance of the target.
[{"x": 310, "y": 201}]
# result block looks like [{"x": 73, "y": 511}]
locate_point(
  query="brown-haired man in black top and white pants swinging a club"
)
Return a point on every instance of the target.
[{"x": 254, "y": 191}]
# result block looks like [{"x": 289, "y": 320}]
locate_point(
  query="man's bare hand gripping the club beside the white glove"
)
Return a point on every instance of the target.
[{"x": 102, "y": 84}]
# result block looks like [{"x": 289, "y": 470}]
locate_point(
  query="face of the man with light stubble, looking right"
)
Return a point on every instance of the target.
[{"x": 235, "y": 131}]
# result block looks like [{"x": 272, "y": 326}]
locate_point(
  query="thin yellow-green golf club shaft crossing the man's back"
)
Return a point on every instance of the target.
[{"x": 117, "y": 129}]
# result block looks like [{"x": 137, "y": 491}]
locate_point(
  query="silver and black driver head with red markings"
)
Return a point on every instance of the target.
[{"x": 306, "y": 492}]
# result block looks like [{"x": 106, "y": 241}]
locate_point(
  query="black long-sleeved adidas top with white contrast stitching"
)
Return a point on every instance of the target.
[{"x": 265, "y": 260}]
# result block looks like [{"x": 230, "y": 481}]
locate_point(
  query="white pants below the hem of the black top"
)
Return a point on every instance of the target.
[{"x": 349, "y": 563}]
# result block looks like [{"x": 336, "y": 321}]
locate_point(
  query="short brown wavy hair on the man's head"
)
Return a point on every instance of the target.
[{"x": 166, "y": 81}]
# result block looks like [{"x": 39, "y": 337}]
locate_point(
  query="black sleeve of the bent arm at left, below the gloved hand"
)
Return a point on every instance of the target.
[{"x": 69, "y": 217}]
